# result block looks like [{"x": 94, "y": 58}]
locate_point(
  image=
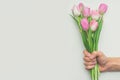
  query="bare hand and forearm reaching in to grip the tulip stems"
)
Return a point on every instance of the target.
[{"x": 105, "y": 63}]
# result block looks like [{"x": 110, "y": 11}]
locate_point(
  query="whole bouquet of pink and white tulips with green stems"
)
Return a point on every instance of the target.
[{"x": 90, "y": 25}]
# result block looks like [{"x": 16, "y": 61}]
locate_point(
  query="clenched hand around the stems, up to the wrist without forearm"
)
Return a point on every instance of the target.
[{"x": 92, "y": 58}]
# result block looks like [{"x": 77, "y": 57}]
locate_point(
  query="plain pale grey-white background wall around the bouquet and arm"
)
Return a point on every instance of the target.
[{"x": 40, "y": 41}]
